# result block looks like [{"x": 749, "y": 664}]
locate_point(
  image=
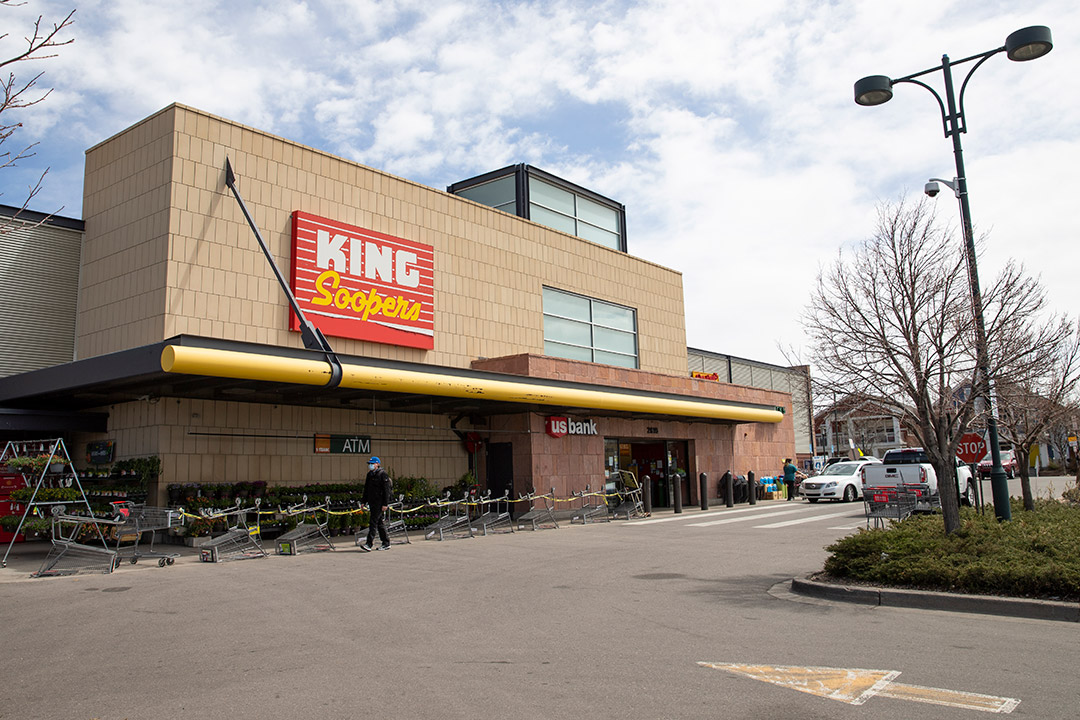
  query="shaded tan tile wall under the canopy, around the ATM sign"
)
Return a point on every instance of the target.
[{"x": 223, "y": 442}]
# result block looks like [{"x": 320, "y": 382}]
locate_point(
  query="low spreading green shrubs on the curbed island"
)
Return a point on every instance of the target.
[{"x": 1032, "y": 556}]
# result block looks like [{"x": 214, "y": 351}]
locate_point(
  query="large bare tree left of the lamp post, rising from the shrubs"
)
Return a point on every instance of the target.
[{"x": 894, "y": 320}]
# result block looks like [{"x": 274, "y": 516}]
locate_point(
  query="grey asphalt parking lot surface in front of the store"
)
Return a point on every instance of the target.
[{"x": 610, "y": 619}]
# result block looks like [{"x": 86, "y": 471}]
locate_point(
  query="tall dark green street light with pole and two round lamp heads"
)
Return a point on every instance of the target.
[{"x": 1025, "y": 45}]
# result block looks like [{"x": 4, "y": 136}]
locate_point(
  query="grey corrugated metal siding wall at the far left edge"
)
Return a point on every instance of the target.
[{"x": 39, "y": 292}]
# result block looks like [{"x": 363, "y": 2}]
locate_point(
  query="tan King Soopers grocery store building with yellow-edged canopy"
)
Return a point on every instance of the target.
[{"x": 499, "y": 328}]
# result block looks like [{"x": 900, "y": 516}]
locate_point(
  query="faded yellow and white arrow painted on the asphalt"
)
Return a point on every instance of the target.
[{"x": 855, "y": 687}]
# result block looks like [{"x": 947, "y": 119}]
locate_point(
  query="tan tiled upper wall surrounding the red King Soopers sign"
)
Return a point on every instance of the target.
[{"x": 491, "y": 267}]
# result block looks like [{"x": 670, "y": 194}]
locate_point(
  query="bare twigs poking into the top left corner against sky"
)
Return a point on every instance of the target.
[{"x": 20, "y": 94}]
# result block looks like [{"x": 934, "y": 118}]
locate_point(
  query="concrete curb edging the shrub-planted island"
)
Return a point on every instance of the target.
[{"x": 988, "y": 605}]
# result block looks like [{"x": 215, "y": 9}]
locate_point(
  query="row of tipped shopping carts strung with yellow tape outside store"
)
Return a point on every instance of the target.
[{"x": 89, "y": 544}]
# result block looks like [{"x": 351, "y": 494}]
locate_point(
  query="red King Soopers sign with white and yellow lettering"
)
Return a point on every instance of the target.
[{"x": 361, "y": 284}]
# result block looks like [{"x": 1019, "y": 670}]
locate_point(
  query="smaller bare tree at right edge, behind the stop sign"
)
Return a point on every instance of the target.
[{"x": 1037, "y": 396}]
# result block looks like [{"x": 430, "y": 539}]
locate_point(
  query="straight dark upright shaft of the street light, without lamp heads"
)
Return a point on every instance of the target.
[{"x": 1000, "y": 482}]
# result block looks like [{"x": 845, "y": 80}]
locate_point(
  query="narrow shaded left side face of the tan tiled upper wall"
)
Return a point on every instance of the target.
[{"x": 127, "y": 211}]
